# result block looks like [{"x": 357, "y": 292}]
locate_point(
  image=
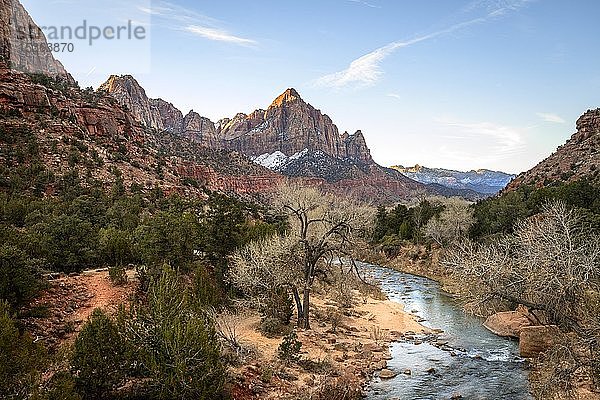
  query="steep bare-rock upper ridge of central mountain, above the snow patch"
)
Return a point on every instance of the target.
[{"x": 288, "y": 125}]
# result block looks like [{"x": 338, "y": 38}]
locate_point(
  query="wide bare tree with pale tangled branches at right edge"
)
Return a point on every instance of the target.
[{"x": 550, "y": 264}]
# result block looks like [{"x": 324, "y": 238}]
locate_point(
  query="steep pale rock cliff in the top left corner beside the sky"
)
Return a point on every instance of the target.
[{"x": 23, "y": 46}]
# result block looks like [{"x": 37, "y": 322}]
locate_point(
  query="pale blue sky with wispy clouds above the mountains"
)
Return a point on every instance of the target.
[{"x": 469, "y": 84}]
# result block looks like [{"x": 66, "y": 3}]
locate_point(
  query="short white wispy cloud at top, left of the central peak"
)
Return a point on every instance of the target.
[{"x": 184, "y": 19}]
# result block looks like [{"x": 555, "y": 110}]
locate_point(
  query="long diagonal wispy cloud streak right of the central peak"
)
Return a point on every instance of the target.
[{"x": 366, "y": 70}]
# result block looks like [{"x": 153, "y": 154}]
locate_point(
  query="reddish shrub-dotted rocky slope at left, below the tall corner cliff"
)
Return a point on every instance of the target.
[{"x": 91, "y": 134}]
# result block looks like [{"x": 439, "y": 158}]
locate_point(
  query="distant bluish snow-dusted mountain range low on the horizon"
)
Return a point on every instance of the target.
[{"x": 481, "y": 181}]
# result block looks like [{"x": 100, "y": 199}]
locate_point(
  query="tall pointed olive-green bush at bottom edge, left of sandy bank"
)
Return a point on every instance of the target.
[{"x": 178, "y": 347}]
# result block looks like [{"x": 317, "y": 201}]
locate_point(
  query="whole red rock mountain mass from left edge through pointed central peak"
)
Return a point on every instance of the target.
[{"x": 118, "y": 132}]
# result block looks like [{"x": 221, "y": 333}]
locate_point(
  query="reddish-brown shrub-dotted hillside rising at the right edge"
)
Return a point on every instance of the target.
[{"x": 578, "y": 158}]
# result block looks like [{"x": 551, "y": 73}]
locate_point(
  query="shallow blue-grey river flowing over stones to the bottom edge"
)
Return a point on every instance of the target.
[{"x": 474, "y": 364}]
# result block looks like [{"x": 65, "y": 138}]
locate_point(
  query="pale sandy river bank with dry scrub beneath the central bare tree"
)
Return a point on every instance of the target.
[{"x": 334, "y": 360}]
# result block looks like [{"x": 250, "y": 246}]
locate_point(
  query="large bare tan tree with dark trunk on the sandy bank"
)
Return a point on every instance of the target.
[{"x": 323, "y": 230}]
